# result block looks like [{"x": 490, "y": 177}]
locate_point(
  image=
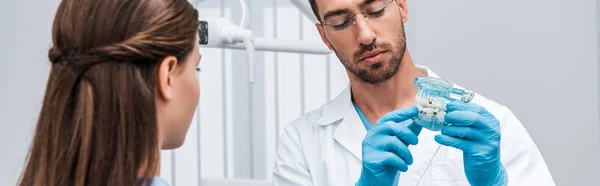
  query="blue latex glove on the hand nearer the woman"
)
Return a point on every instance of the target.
[{"x": 385, "y": 148}]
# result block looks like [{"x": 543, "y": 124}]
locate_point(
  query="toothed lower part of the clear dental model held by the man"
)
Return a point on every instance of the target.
[{"x": 432, "y": 109}]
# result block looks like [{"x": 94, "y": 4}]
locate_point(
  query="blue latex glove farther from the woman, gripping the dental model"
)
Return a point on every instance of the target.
[{"x": 476, "y": 132}]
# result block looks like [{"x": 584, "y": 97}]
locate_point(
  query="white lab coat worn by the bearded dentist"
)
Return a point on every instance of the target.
[{"x": 323, "y": 148}]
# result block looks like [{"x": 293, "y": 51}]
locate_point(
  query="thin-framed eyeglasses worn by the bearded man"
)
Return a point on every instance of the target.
[{"x": 341, "y": 22}]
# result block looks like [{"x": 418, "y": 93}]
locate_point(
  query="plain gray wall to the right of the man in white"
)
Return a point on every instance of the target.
[{"x": 538, "y": 57}]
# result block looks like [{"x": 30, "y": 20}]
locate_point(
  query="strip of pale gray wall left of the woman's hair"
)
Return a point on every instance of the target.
[{"x": 24, "y": 43}]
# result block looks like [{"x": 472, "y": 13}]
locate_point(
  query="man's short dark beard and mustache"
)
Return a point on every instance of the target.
[{"x": 378, "y": 72}]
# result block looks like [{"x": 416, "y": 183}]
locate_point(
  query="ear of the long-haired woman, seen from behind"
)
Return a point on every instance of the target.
[{"x": 166, "y": 71}]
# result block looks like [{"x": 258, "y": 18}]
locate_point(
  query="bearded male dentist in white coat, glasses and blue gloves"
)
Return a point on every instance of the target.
[{"x": 365, "y": 135}]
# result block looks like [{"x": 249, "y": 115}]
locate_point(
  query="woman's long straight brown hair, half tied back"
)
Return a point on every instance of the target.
[{"x": 98, "y": 124}]
